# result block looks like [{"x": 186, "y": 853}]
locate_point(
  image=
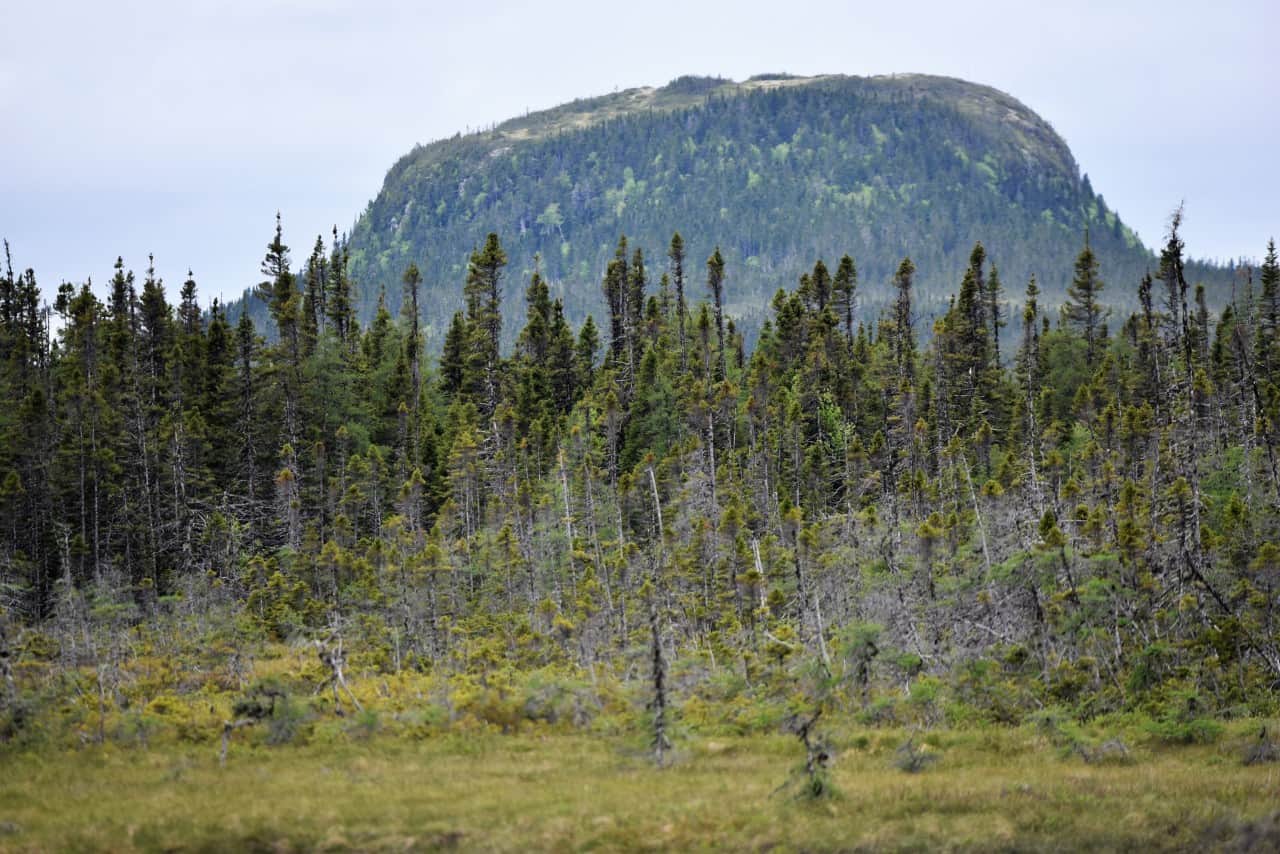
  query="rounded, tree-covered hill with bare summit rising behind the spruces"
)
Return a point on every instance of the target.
[{"x": 778, "y": 171}]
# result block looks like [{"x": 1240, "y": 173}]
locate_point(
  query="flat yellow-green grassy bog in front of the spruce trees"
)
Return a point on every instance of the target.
[{"x": 990, "y": 791}]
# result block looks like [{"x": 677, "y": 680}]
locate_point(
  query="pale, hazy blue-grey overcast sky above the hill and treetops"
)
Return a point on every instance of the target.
[{"x": 181, "y": 127}]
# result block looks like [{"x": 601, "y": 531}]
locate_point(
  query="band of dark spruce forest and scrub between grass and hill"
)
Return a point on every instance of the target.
[{"x": 961, "y": 531}]
